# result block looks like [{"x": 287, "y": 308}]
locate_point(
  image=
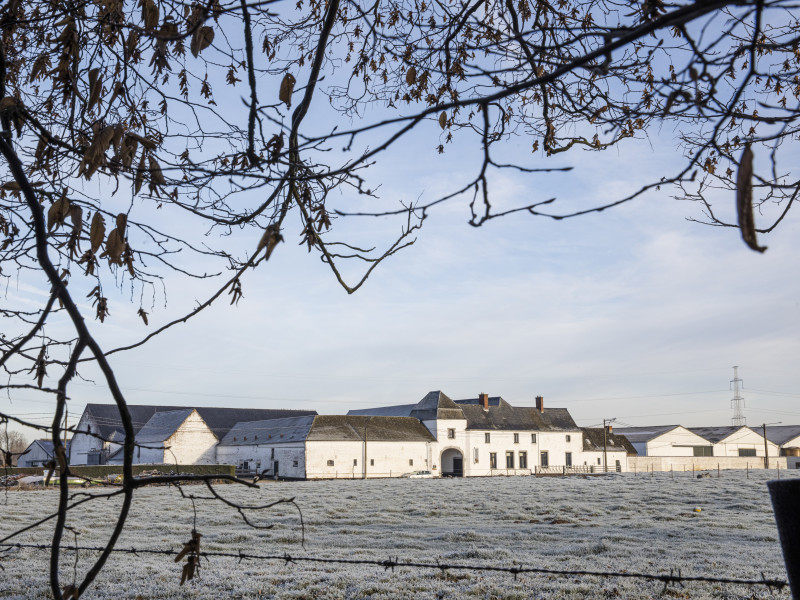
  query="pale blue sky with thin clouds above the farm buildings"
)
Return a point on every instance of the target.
[{"x": 634, "y": 314}]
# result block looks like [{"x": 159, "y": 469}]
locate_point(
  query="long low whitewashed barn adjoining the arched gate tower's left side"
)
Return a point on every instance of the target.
[{"x": 329, "y": 447}]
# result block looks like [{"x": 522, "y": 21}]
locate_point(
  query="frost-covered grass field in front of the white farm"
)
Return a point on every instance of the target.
[{"x": 614, "y": 523}]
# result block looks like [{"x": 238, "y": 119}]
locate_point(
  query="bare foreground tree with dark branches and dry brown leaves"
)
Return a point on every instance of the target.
[{"x": 118, "y": 157}]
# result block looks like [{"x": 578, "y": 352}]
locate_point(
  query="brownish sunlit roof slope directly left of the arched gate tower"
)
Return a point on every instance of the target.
[{"x": 376, "y": 429}]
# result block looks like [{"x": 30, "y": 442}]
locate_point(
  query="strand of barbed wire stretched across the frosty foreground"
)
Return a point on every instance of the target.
[{"x": 674, "y": 576}]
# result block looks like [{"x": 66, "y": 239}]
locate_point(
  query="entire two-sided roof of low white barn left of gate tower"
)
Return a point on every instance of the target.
[{"x": 329, "y": 428}]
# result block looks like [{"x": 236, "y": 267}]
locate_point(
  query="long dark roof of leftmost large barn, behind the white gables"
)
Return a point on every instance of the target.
[{"x": 219, "y": 420}]
